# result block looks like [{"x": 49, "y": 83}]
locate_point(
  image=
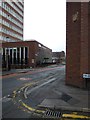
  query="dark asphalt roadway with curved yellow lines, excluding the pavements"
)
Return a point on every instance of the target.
[{"x": 22, "y": 93}]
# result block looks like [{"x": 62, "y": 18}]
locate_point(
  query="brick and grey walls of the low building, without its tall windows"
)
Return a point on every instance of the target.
[{"x": 35, "y": 53}]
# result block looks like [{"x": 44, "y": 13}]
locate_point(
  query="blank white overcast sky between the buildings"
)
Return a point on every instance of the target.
[{"x": 45, "y": 21}]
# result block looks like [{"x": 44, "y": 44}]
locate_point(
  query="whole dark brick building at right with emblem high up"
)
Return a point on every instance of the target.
[{"x": 77, "y": 43}]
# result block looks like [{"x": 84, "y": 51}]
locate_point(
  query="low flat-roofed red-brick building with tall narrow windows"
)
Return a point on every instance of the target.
[{"x": 25, "y": 54}]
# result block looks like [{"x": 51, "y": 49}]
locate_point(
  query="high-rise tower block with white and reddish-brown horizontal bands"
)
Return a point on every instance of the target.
[{"x": 11, "y": 20}]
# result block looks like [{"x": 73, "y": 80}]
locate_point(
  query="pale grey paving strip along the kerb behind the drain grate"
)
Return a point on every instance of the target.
[{"x": 61, "y": 105}]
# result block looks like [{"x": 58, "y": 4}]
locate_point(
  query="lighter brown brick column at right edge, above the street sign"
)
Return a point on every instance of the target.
[{"x": 84, "y": 42}]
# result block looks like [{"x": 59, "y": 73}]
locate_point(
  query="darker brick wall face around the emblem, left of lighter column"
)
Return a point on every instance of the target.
[{"x": 73, "y": 44}]
